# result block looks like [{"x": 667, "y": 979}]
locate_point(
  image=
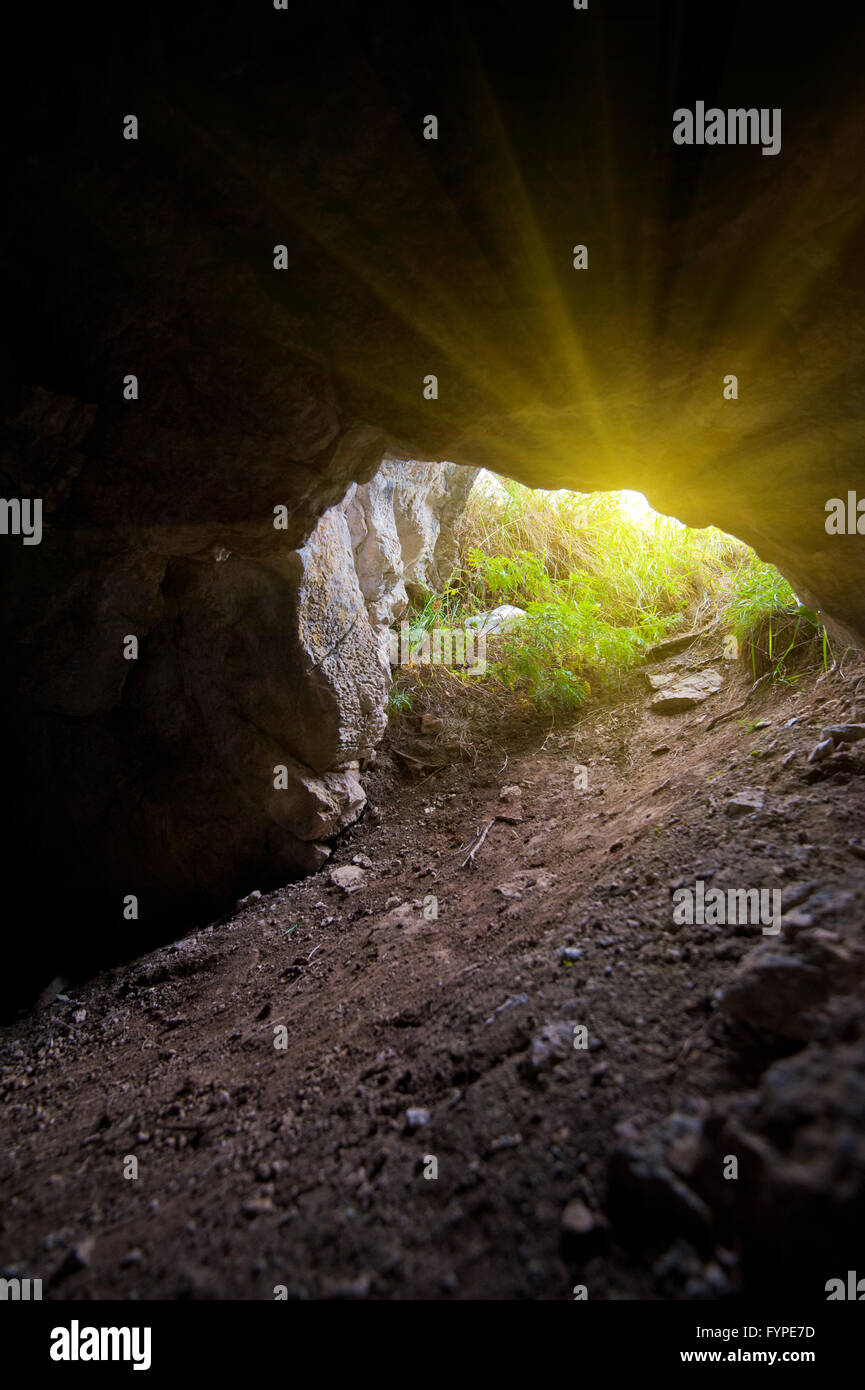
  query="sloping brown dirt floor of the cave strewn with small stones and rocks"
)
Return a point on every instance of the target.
[{"x": 432, "y": 1127}]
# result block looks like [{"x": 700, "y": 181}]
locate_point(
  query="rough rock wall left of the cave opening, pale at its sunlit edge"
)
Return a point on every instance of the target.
[{"x": 226, "y": 754}]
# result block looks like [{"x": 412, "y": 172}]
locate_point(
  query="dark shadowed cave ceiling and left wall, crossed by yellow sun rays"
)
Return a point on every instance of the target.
[{"x": 405, "y": 259}]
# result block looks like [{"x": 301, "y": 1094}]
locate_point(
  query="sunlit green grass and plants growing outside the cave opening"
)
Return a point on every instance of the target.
[{"x": 600, "y": 587}]
